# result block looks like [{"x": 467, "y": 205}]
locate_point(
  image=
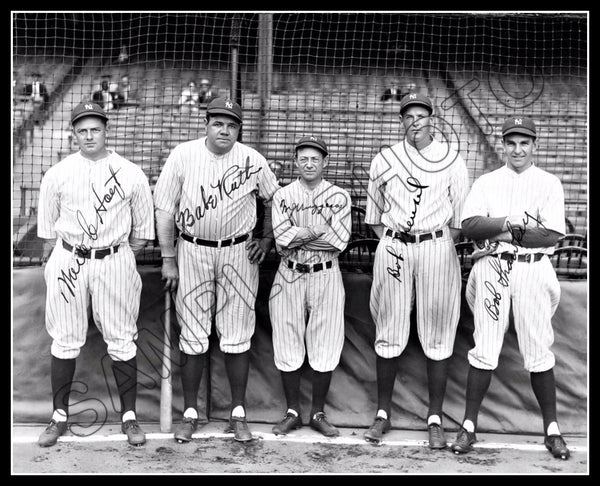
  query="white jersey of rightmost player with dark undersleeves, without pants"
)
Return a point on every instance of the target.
[{"x": 503, "y": 192}]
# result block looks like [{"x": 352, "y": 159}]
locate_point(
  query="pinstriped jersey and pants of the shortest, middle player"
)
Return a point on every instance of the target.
[{"x": 307, "y": 308}]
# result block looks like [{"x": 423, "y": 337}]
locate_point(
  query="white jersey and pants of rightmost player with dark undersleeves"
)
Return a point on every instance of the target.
[{"x": 532, "y": 287}]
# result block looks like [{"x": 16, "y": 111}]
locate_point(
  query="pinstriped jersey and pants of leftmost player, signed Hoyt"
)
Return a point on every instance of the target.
[{"x": 94, "y": 205}]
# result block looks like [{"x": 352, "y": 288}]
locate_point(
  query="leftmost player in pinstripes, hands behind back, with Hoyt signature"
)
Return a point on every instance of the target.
[{"x": 97, "y": 207}]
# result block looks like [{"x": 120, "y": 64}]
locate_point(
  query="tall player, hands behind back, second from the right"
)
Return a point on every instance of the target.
[{"x": 416, "y": 193}]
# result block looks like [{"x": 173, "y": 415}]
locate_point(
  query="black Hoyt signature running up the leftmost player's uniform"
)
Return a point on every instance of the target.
[{"x": 68, "y": 278}]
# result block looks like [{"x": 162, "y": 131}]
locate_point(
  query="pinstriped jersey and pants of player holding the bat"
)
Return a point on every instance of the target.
[{"x": 213, "y": 197}]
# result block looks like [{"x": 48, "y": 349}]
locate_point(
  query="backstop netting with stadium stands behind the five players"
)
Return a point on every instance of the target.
[{"x": 336, "y": 75}]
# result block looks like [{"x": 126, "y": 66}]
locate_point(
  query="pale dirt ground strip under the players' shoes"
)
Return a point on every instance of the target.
[{"x": 302, "y": 452}]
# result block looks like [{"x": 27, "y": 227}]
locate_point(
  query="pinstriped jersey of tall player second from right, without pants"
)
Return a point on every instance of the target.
[{"x": 417, "y": 190}]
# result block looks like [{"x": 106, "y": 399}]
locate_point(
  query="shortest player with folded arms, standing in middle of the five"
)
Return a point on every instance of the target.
[{"x": 311, "y": 225}]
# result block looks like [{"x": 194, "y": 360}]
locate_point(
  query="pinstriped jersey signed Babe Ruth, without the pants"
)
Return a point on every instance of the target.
[{"x": 213, "y": 196}]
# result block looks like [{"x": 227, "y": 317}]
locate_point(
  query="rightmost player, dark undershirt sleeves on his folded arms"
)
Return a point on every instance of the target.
[{"x": 515, "y": 215}]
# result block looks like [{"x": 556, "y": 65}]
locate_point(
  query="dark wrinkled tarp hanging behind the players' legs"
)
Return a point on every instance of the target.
[{"x": 509, "y": 405}]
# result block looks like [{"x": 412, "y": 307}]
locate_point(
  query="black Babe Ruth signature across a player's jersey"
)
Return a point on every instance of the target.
[{"x": 233, "y": 178}]
